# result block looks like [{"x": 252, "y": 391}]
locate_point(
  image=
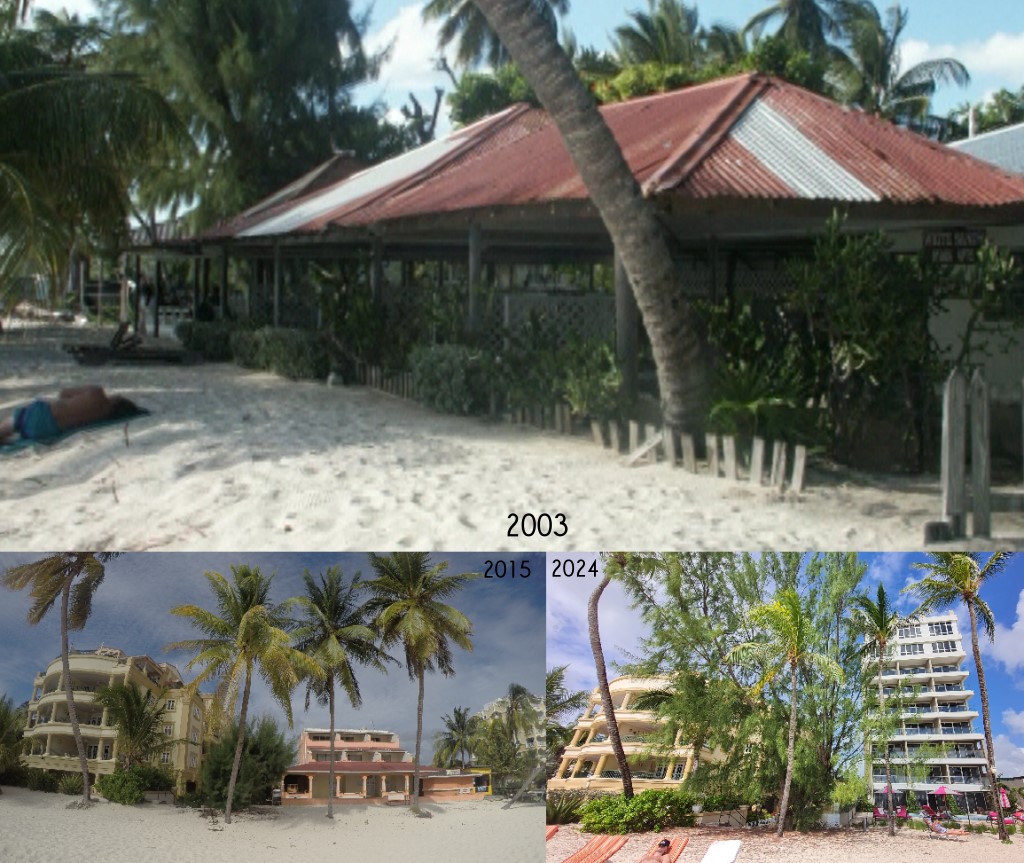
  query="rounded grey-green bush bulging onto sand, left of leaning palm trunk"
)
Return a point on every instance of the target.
[{"x": 449, "y": 378}]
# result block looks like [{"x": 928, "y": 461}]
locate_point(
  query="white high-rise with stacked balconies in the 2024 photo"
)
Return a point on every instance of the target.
[{"x": 936, "y": 743}]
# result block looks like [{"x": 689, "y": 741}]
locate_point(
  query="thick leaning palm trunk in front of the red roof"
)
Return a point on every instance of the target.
[{"x": 638, "y": 237}]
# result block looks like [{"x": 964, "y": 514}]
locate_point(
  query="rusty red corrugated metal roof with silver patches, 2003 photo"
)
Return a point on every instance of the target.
[{"x": 747, "y": 137}]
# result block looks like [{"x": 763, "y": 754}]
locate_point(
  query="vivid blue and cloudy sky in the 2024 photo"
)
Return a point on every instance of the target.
[{"x": 1003, "y": 660}]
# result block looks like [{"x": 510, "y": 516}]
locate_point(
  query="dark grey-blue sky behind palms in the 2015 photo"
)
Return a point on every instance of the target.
[{"x": 132, "y": 612}]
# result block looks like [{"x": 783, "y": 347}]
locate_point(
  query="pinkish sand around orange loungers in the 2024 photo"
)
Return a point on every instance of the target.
[{"x": 761, "y": 846}]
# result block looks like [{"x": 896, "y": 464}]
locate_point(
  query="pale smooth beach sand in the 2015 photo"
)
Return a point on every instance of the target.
[{"x": 39, "y": 829}]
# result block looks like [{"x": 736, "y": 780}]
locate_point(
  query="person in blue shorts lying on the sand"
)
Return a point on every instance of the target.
[{"x": 75, "y": 407}]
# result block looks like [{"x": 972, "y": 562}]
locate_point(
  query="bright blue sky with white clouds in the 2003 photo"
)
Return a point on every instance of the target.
[{"x": 988, "y": 36}]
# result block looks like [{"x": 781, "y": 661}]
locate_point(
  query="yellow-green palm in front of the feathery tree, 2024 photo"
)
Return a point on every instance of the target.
[{"x": 789, "y": 644}]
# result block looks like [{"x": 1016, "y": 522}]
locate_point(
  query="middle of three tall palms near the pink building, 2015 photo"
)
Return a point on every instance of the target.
[{"x": 335, "y": 634}]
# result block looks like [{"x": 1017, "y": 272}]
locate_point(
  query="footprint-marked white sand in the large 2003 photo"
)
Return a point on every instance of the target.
[{"x": 233, "y": 459}]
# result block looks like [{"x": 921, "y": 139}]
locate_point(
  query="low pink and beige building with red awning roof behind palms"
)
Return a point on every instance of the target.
[{"x": 370, "y": 766}]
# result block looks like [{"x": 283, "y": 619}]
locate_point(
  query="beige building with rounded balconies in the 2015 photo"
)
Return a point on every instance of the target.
[{"x": 51, "y": 744}]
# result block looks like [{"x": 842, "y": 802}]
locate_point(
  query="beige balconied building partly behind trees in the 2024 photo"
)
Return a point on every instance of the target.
[{"x": 589, "y": 764}]
